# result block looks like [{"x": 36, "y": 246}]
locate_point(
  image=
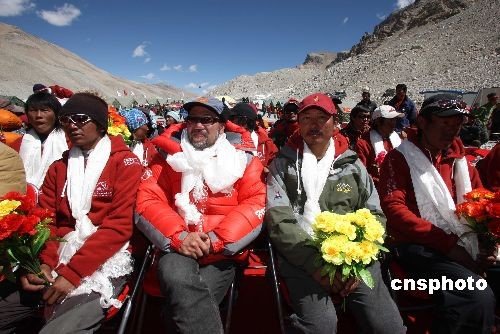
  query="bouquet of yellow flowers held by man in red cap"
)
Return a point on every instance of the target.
[{"x": 349, "y": 243}]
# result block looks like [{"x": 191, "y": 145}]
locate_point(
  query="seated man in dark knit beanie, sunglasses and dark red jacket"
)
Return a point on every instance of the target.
[{"x": 92, "y": 192}]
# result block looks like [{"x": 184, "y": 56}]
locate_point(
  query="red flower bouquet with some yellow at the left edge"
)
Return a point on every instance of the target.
[{"x": 23, "y": 232}]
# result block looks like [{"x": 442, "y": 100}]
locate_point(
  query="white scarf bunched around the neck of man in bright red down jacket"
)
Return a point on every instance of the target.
[{"x": 218, "y": 166}]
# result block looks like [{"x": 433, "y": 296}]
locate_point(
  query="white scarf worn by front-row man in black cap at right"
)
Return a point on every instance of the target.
[{"x": 434, "y": 200}]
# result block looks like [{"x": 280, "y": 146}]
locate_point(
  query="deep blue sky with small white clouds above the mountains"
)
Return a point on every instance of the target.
[{"x": 197, "y": 43}]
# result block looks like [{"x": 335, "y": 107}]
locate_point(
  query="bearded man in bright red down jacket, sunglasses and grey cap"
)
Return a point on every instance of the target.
[{"x": 202, "y": 203}]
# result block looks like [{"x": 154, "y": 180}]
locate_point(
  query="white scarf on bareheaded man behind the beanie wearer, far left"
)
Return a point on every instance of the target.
[{"x": 36, "y": 162}]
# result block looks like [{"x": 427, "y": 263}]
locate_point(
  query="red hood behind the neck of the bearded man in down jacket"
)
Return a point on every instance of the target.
[{"x": 169, "y": 141}]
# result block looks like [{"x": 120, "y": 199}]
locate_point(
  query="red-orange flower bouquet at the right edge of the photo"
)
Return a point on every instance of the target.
[{"x": 481, "y": 210}]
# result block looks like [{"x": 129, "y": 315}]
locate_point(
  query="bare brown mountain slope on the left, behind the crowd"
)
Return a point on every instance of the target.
[{"x": 26, "y": 60}]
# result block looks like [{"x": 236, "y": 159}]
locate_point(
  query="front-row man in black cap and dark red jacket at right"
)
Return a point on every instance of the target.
[{"x": 421, "y": 181}]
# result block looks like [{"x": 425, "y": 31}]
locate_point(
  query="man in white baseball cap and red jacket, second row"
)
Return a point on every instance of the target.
[{"x": 374, "y": 145}]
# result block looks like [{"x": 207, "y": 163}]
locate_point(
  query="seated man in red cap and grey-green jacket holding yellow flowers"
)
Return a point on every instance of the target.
[{"x": 314, "y": 175}]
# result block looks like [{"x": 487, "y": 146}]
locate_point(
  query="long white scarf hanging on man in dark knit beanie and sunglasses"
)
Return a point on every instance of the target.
[{"x": 81, "y": 183}]
